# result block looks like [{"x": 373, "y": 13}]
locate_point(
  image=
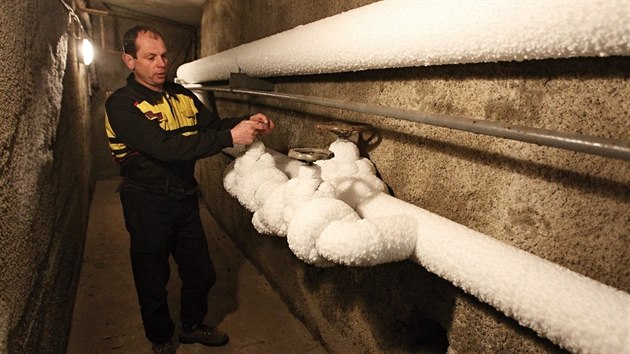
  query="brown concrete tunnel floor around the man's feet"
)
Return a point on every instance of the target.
[{"x": 106, "y": 317}]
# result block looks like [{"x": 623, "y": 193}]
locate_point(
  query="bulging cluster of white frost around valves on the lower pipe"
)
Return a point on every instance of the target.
[{"x": 315, "y": 209}]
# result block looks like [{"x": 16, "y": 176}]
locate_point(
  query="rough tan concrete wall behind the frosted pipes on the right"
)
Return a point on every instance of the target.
[{"x": 566, "y": 207}]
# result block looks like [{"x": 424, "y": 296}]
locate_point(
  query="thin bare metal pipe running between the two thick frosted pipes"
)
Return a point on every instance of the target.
[{"x": 613, "y": 148}]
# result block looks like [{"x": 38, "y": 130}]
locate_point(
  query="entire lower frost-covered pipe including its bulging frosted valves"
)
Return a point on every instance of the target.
[{"x": 357, "y": 223}]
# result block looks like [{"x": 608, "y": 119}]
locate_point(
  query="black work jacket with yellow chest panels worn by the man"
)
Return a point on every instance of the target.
[{"x": 156, "y": 137}]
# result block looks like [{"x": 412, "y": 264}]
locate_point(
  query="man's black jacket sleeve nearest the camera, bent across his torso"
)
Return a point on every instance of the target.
[{"x": 146, "y": 136}]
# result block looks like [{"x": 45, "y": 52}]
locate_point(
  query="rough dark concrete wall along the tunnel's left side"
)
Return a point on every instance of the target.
[{"x": 45, "y": 175}]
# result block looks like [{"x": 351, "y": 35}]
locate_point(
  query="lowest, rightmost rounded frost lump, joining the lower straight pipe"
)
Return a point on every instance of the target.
[{"x": 369, "y": 242}]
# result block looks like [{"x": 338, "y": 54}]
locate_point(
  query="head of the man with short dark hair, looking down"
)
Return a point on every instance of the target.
[{"x": 151, "y": 62}]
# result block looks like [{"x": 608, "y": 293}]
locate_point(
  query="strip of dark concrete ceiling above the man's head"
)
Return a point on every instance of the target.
[{"x": 182, "y": 11}]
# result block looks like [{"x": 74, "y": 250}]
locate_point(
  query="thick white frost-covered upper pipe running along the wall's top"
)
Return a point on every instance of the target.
[{"x": 398, "y": 33}]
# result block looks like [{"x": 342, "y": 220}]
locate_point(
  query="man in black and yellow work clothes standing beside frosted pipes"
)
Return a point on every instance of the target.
[{"x": 157, "y": 130}]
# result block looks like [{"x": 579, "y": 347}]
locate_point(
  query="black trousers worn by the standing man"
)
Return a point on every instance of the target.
[{"x": 162, "y": 224}]
